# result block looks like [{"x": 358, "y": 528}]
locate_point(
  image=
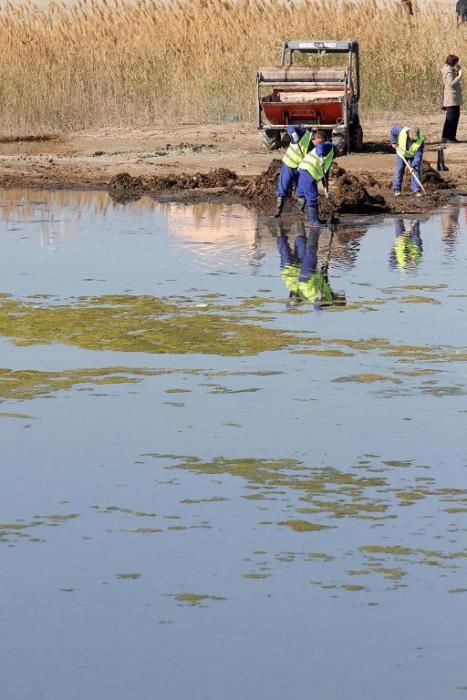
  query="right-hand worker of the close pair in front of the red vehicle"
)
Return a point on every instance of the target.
[{"x": 313, "y": 169}]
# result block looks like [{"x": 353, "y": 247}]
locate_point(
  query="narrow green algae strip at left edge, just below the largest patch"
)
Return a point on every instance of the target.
[{"x": 29, "y": 384}]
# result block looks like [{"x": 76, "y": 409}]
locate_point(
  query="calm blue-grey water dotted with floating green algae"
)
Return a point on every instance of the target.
[{"x": 188, "y": 513}]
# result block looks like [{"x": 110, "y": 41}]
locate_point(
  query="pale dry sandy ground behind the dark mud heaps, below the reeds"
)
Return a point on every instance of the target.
[{"x": 90, "y": 159}]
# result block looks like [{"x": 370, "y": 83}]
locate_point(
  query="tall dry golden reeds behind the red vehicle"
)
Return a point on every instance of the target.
[{"x": 105, "y": 62}]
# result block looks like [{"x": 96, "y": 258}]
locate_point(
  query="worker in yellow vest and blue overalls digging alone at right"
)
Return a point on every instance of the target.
[{"x": 408, "y": 144}]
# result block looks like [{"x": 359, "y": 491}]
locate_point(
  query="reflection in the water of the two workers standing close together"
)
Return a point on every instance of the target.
[{"x": 300, "y": 270}]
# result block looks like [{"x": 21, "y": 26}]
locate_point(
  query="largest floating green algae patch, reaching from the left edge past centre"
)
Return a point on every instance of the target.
[{"x": 141, "y": 324}]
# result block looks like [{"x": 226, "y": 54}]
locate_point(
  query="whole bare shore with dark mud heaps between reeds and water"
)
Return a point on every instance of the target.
[{"x": 219, "y": 163}]
